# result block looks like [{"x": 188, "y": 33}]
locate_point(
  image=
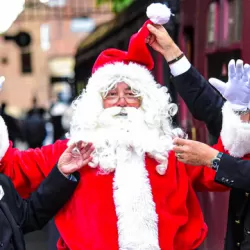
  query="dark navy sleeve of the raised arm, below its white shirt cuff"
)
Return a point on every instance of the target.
[{"x": 202, "y": 100}]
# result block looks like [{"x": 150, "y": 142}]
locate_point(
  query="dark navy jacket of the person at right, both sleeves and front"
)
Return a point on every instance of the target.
[{"x": 205, "y": 104}]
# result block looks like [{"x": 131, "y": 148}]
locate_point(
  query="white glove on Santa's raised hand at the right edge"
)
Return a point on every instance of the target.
[{"x": 237, "y": 89}]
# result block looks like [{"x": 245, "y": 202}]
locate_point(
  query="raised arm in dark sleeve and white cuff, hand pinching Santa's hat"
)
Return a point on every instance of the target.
[{"x": 202, "y": 100}]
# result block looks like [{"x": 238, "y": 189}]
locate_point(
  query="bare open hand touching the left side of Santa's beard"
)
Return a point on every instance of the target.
[{"x": 74, "y": 157}]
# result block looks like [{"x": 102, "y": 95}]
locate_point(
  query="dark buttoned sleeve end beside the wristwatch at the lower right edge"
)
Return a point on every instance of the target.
[{"x": 234, "y": 172}]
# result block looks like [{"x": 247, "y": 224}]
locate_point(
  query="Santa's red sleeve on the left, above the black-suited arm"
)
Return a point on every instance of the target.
[{"x": 28, "y": 168}]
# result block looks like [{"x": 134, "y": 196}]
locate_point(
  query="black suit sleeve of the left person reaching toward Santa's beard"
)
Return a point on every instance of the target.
[{"x": 44, "y": 203}]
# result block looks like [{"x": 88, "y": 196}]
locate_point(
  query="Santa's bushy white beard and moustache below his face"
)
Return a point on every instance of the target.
[{"x": 119, "y": 137}]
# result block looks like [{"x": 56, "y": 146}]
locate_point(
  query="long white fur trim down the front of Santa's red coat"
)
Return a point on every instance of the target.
[{"x": 135, "y": 208}]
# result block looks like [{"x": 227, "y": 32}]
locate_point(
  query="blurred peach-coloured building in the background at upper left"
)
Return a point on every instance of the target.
[{"x": 35, "y": 70}]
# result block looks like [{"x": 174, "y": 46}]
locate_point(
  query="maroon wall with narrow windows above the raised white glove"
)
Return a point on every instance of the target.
[{"x": 213, "y": 32}]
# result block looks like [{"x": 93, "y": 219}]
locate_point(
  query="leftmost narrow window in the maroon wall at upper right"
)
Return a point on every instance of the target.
[{"x": 212, "y": 23}]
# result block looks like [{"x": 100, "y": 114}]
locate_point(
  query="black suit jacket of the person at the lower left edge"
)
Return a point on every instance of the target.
[{"x": 19, "y": 216}]
